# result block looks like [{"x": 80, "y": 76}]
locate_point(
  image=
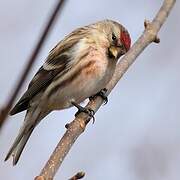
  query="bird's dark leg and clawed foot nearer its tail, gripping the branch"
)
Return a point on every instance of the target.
[{"x": 88, "y": 111}]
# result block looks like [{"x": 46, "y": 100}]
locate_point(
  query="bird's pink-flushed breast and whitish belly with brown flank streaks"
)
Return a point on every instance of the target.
[{"x": 91, "y": 75}]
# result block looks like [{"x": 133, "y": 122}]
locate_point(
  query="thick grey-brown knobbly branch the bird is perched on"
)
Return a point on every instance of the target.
[{"x": 78, "y": 125}]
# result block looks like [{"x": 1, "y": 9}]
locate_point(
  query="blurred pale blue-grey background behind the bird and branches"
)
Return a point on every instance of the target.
[{"x": 136, "y": 136}]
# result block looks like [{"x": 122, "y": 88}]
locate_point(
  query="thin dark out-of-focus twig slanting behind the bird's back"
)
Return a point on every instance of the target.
[{"x": 4, "y": 111}]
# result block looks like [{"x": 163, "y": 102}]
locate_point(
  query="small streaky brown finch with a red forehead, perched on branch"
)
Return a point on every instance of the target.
[{"x": 77, "y": 68}]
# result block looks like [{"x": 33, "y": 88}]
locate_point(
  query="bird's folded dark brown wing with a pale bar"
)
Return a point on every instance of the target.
[{"x": 57, "y": 63}]
